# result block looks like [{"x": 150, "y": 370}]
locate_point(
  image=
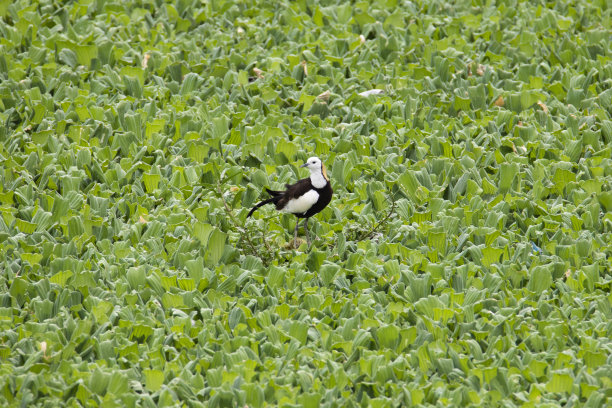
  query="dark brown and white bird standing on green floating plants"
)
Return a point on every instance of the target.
[{"x": 303, "y": 199}]
